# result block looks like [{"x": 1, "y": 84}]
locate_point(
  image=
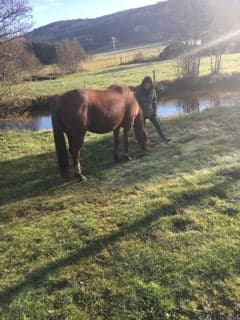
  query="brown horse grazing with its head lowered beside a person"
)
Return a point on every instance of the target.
[{"x": 98, "y": 111}]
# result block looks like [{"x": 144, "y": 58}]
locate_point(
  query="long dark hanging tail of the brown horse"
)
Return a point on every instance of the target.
[{"x": 59, "y": 139}]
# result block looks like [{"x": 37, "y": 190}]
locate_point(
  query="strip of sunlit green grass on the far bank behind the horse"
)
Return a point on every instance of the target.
[{"x": 100, "y": 78}]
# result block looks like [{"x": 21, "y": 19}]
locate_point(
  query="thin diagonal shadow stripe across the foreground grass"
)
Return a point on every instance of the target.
[{"x": 183, "y": 200}]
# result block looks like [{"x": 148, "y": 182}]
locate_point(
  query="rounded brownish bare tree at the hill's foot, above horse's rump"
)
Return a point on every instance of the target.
[{"x": 69, "y": 55}]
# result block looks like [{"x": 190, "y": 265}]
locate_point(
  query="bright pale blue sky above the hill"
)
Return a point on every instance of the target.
[{"x": 47, "y": 11}]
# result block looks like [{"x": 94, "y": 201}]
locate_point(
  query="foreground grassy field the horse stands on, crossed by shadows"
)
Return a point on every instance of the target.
[{"x": 155, "y": 238}]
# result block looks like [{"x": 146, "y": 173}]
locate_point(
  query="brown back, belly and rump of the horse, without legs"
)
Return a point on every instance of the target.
[{"x": 99, "y": 111}]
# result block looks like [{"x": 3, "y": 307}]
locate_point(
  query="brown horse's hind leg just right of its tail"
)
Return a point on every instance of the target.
[{"x": 75, "y": 144}]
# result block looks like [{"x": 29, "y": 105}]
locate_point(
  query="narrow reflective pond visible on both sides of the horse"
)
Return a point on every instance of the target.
[{"x": 175, "y": 107}]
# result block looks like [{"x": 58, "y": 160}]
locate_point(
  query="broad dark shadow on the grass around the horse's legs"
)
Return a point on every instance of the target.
[{"x": 33, "y": 176}]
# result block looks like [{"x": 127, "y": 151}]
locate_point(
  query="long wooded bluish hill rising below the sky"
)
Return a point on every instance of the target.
[{"x": 149, "y": 24}]
